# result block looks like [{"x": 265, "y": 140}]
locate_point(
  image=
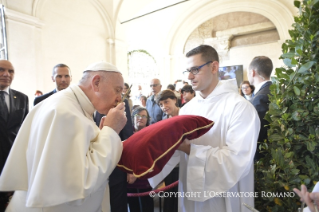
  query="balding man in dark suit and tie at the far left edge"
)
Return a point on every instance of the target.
[{"x": 14, "y": 107}]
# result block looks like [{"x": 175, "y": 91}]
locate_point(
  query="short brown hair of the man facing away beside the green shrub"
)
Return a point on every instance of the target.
[{"x": 262, "y": 65}]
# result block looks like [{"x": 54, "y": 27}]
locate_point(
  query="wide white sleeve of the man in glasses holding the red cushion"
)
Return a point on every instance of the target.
[{"x": 219, "y": 168}]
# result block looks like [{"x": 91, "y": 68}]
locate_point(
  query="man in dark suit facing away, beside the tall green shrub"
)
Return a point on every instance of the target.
[{"x": 259, "y": 75}]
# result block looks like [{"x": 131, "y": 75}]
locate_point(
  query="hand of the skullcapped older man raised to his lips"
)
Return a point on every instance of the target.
[{"x": 116, "y": 118}]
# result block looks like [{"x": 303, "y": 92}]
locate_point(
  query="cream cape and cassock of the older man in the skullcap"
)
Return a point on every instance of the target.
[{"x": 61, "y": 160}]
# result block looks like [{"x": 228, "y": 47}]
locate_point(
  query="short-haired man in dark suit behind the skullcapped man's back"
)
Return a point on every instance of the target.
[{"x": 61, "y": 75}]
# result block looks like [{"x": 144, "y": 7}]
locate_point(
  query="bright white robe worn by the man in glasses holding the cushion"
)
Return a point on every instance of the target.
[{"x": 222, "y": 159}]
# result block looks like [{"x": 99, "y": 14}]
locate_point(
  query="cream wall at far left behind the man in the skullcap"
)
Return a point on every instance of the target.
[{"x": 61, "y": 31}]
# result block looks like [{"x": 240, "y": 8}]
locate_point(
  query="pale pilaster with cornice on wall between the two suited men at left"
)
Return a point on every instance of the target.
[{"x": 24, "y": 51}]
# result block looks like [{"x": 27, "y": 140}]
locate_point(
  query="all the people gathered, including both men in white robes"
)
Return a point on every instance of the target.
[{"x": 62, "y": 155}]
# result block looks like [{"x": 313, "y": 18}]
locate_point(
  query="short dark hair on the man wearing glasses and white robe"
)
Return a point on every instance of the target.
[{"x": 208, "y": 53}]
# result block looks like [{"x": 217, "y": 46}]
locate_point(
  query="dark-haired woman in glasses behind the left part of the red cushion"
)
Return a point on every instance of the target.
[{"x": 140, "y": 120}]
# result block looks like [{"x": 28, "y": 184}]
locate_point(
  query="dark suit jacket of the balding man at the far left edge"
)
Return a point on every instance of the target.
[{"x": 19, "y": 108}]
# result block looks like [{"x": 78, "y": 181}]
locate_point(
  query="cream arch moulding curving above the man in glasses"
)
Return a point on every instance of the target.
[{"x": 278, "y": 13}]
